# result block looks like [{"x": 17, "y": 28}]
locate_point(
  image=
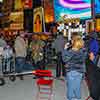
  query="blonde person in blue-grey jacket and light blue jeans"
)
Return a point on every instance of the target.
[{"x": 74, "y": 60}]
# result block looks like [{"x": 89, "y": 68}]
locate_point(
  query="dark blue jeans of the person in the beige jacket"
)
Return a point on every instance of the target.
[{"x": 20, "y": 62}]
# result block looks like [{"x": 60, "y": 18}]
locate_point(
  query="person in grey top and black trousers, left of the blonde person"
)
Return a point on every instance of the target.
[{"x": 58, "y": 45}]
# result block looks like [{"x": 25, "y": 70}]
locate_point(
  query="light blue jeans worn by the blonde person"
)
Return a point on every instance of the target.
[{"x": 74, "y": 79}]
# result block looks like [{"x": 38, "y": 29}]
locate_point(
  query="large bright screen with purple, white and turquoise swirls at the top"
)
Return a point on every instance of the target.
[{"x": 72, "y": 9}]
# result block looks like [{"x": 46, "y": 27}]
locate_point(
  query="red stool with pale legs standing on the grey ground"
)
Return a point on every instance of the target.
[{"x": 45, "y": 84}]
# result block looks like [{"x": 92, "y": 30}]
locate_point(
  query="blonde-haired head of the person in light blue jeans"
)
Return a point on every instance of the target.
[{"x": 77, "y": 42}]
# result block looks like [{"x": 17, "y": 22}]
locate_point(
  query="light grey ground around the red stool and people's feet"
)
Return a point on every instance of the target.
[{"x": 26, "y": 90}]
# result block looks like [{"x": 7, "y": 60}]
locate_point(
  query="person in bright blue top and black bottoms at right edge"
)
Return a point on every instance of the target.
[{"x": 92, "y": 70}]
